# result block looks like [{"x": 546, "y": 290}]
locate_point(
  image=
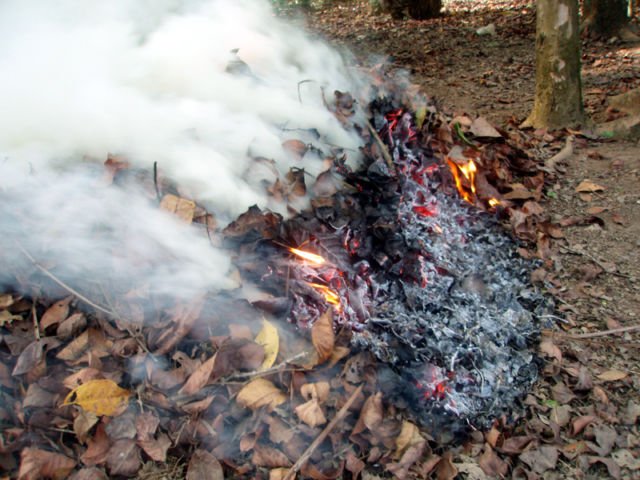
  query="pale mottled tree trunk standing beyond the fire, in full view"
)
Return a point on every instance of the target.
[{"x": 558, "y": 100}]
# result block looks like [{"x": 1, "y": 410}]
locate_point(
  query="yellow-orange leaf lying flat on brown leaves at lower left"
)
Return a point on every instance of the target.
[{"x": 101, "y": 397}]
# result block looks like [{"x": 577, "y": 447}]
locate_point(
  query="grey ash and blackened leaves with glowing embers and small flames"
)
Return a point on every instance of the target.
[{"x": 412, "y": 264}]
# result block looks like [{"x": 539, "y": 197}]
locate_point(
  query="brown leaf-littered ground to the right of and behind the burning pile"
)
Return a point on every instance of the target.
[{"x": 594, "y": 266}]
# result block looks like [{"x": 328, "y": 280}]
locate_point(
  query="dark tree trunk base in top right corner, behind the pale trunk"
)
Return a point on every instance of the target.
[{"x": 605, "y": 18}]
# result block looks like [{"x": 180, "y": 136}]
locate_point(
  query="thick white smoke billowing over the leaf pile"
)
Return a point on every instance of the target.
[{"x": 200, "y": 87}]
